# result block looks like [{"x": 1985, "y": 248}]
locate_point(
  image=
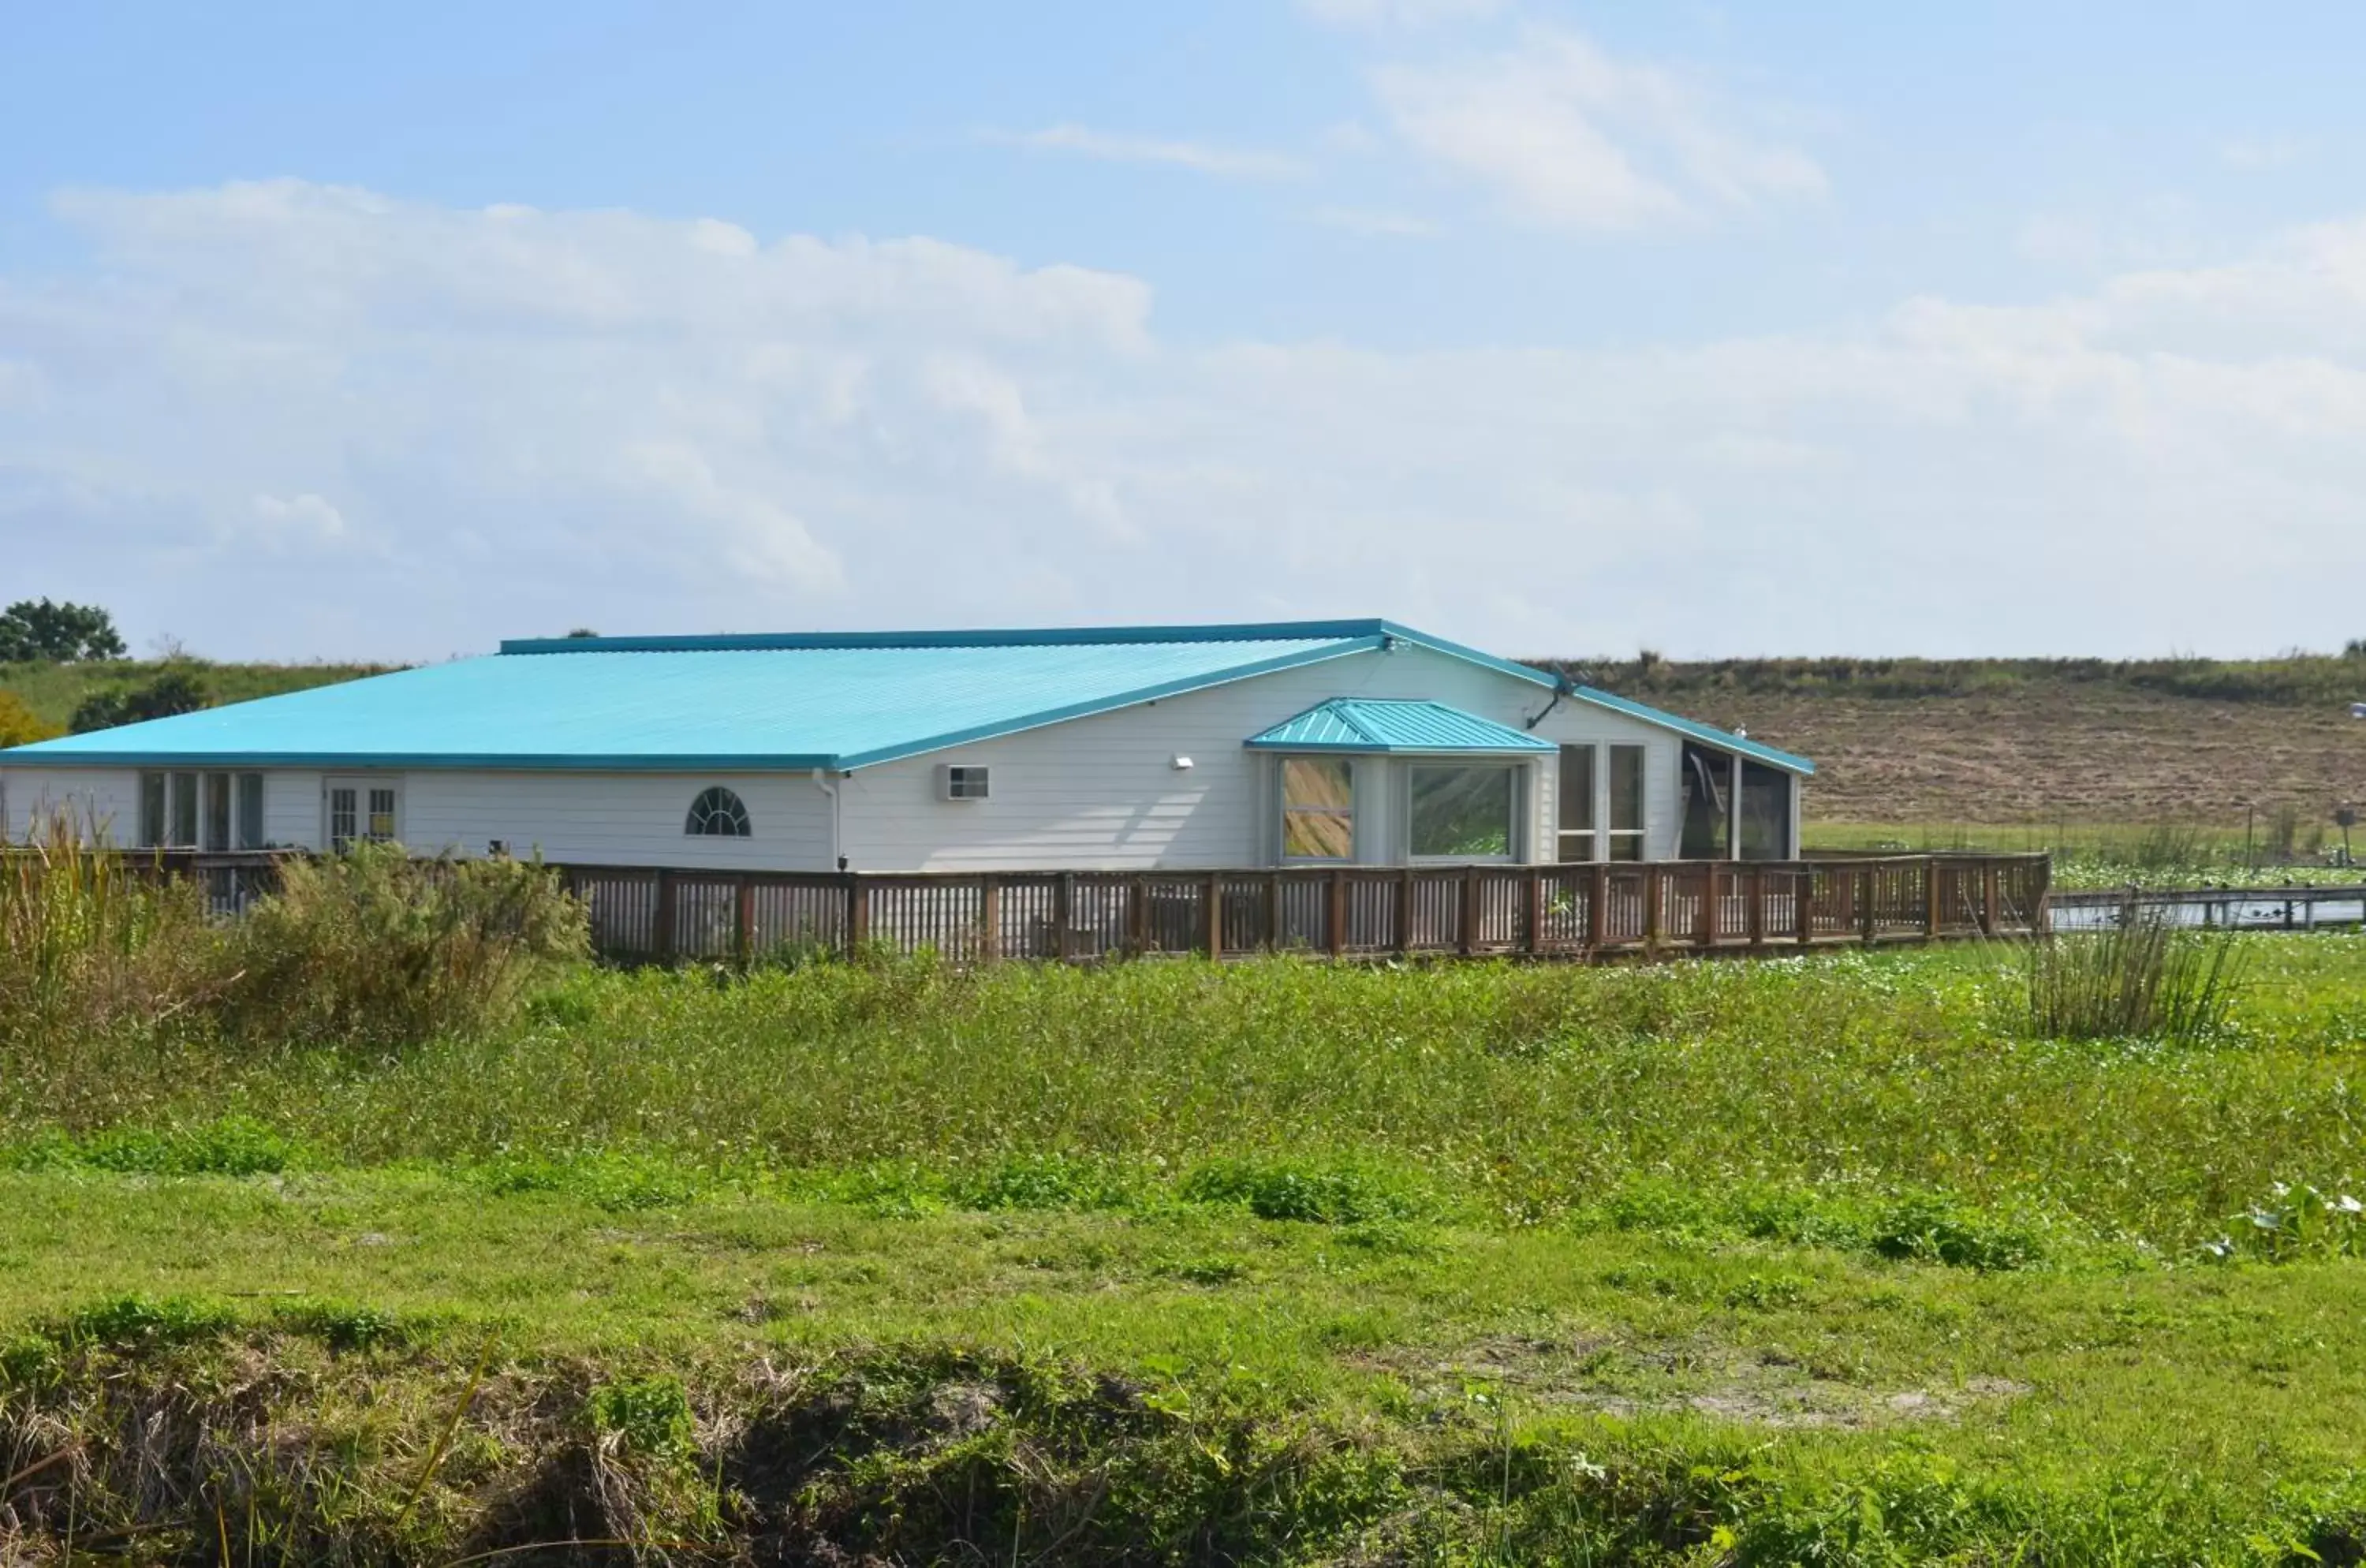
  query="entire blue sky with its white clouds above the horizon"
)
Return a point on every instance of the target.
[{"x": 1556, "y": 328}]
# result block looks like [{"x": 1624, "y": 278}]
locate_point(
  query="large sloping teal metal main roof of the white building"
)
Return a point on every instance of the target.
[{"x": 716, "y": 704}]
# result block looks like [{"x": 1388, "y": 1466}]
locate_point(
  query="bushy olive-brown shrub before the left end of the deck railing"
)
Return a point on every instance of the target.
[{"x": 375, "y": 947}]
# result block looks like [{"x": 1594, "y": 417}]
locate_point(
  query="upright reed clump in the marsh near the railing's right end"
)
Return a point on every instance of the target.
[{"x": 2140, "y": 980}]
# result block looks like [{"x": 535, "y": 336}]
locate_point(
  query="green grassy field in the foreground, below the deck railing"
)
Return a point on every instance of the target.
[{"x": 1823, "y": 1259}]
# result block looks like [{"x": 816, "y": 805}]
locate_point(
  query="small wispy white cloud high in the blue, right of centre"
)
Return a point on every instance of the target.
[{"x": 1570, "y": 136}]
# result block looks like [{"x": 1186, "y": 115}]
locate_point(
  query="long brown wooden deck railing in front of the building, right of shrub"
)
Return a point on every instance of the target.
[{"x": 1362, "y": 912}]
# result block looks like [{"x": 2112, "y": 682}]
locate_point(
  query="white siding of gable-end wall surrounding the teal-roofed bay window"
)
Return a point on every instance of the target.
[{"x": 1104, "y": 793}]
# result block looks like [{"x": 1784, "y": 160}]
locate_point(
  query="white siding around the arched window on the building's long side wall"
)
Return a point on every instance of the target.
[{"x": 616, "y": 819}]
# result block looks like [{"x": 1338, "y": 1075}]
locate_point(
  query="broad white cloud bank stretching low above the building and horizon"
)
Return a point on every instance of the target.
[{"x": 522, "y": 422}]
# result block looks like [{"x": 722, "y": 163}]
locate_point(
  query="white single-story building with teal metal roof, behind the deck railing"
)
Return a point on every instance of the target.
[{"x": 1104, "y": 749}]
